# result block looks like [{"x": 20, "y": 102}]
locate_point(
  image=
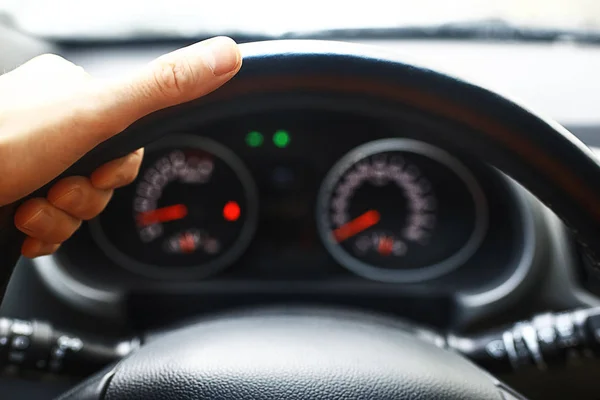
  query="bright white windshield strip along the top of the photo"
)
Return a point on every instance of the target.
[{"x": 193, "y": 18}]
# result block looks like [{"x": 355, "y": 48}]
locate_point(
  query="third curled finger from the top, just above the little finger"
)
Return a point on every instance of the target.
[{"x": 39, "y": 219}]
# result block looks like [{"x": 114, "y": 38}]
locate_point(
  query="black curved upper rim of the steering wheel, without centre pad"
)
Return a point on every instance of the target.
[{"x": 542, "y": 156}]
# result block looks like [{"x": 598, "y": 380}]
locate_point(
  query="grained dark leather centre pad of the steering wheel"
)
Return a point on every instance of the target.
[{"x": 297, "y": 355}]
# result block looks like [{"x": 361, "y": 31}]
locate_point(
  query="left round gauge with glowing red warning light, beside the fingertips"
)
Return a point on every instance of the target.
[{"x": 192, "y": 212}]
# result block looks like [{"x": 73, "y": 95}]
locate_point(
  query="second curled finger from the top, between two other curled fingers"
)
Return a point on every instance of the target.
[{"x": 77, "y": 197}]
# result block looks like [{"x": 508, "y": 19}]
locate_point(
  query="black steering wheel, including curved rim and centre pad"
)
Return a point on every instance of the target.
[{"x": 303, "y": 354}]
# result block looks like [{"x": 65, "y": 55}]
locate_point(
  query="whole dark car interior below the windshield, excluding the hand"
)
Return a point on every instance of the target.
[{"x": 408, "y": 212}]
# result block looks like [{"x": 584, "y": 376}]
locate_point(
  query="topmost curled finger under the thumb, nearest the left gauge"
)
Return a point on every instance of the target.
[{"x": 117, "y": 173}]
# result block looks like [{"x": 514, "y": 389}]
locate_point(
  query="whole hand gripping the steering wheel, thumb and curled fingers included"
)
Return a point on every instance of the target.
[{"x": 52, "y": 112}]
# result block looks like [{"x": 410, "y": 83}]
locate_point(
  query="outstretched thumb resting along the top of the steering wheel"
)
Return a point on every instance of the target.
[{"x": 178, "y": 77}]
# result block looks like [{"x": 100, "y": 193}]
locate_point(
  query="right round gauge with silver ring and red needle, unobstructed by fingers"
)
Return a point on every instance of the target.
[{"x": 400, "y": 210}]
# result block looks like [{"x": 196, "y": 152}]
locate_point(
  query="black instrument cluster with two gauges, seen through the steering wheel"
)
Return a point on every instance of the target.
[{"x": 308, "y": 203}]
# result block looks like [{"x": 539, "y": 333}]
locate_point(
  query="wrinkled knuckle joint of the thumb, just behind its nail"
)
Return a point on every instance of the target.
[{"x": 172, "y": 78}]
